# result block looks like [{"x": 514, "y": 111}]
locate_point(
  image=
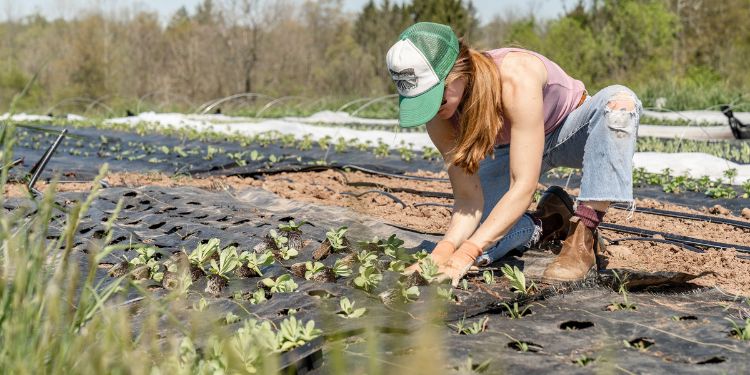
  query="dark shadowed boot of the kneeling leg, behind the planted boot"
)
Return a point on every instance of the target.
[{"x": 554, "y": 210}]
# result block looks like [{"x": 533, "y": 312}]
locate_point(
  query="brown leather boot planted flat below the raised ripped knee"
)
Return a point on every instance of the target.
[{"x": 577, "y": 256}]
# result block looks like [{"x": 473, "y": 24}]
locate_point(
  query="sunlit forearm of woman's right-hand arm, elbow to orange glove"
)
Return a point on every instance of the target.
[{"x": 502, "y": 217}]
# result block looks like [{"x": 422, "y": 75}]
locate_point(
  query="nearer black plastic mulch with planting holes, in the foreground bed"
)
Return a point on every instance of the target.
[{"x": 681, "y": 331}]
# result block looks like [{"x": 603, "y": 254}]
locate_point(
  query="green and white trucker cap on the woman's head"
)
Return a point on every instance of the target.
[{"x": 419, "y": 63}]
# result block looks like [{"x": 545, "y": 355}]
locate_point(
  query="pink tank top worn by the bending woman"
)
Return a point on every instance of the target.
[{"x": 561, "y": 94}]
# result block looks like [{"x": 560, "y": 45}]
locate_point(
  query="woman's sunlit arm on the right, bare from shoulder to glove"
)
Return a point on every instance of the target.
[{"x": 523, "y": 78}]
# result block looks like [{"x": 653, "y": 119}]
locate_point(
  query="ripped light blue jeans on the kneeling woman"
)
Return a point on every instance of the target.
[{"x": 594, "y": 137}]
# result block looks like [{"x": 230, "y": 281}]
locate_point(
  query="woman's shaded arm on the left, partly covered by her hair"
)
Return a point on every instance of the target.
[{"x": 467, "y": 190}]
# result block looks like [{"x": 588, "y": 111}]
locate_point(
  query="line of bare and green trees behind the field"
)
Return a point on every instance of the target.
[{"x": 690, "y": 52}]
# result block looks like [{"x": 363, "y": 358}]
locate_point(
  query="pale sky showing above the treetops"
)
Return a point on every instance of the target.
[{"x": 486, "y": 9}]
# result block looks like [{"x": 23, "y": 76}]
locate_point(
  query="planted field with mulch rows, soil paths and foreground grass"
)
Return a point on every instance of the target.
[{"x": 182, "y": 249}]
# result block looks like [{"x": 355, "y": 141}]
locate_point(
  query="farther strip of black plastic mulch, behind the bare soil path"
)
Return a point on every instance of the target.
[{"x": 86, "y": 149}]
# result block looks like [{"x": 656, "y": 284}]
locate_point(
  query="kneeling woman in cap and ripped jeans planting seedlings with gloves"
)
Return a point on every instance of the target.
[{"x": 500, "y": 118}]
